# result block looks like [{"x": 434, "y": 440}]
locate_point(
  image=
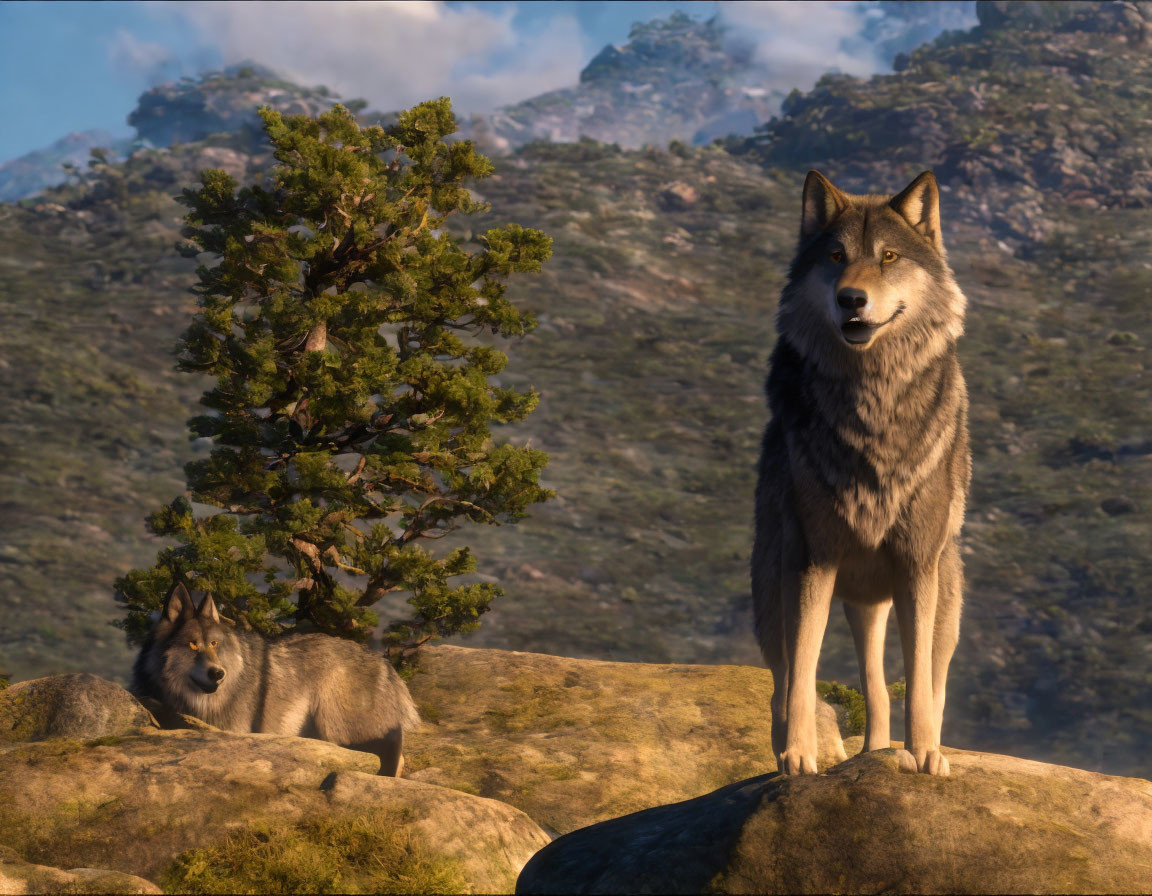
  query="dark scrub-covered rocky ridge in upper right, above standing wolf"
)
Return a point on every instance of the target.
[{"x": 1040, "y": 107}]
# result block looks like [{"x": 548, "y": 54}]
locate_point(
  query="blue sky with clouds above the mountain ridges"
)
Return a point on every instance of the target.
[{"x": 79, "y": 66}]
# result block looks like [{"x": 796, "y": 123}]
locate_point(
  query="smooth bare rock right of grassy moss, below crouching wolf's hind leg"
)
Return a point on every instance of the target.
[{"x": 489, "y": 841}]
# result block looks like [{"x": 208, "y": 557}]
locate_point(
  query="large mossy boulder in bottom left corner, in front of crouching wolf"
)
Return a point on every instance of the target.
[{"x": 206, "y": 810}]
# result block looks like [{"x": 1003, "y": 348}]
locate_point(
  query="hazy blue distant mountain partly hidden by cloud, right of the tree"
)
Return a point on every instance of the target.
[{"x": 684, "y": 80}]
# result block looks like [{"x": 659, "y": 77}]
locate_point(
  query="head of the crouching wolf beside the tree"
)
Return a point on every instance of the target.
[{"x": 199, "y": 655}]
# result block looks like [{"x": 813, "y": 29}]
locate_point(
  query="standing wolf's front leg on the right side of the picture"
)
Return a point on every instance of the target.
[{"x": 916, "y": 604}]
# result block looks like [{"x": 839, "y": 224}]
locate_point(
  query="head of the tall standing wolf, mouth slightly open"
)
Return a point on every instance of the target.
[{"x": 871, "y": 277}]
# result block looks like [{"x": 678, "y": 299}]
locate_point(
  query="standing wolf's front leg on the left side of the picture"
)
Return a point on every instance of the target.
[{"x": 807, "y": 597}]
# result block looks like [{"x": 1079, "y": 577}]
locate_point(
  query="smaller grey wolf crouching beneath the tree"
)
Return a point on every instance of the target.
[{"x": 309, "y": 686}]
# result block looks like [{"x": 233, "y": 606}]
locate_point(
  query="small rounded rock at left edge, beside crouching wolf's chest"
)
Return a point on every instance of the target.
[{"x": 84, "y": 707}]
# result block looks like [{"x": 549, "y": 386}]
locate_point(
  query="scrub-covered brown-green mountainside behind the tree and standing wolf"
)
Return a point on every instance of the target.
[{"x": 656, "y": 323}]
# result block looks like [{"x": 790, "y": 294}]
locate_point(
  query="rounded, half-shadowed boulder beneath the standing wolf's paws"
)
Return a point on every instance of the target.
[{"x": 997, "y": 825}]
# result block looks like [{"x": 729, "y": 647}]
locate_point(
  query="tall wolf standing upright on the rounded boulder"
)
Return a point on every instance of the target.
[{"x": 866, "y": 464}]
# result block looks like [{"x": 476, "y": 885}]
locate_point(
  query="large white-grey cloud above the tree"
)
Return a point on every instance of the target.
[{"x": 395, "y": 55}]
